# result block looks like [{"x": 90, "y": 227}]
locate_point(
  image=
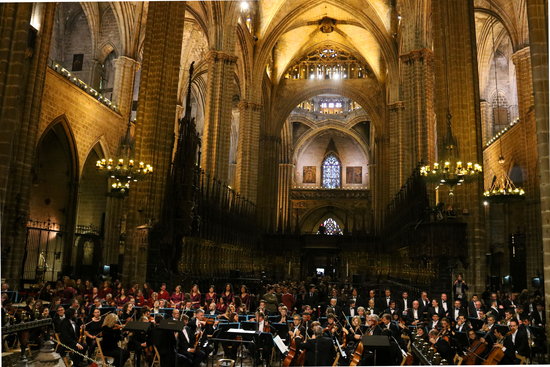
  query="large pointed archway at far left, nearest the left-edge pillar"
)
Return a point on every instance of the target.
[{"x": 52, "y": 206}]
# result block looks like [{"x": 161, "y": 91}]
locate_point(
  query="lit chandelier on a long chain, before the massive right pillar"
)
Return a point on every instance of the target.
[{"x": 450, "y": 171}]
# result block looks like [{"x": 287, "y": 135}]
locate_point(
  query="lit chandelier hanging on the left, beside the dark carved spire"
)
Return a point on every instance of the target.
[{"x": 123, "y": 169}]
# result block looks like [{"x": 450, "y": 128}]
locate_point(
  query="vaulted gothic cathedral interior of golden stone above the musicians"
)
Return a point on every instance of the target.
[{"x": 390, "y": 142}]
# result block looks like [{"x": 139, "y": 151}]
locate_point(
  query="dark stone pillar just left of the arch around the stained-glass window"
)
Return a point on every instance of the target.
[{"x": 268, "y": 180}]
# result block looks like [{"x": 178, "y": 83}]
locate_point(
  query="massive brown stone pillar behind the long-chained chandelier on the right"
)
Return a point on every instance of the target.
[{"x": 456, "y": 72}]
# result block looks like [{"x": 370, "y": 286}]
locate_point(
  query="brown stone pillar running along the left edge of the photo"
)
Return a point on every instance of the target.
[{"x": 21, "y": 87}]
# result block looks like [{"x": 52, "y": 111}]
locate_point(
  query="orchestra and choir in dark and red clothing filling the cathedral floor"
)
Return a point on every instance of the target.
[{"x": 340, "y": 322}]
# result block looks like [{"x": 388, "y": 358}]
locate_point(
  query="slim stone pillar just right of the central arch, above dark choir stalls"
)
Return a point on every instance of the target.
[{"x": 398, "y": 138}]
